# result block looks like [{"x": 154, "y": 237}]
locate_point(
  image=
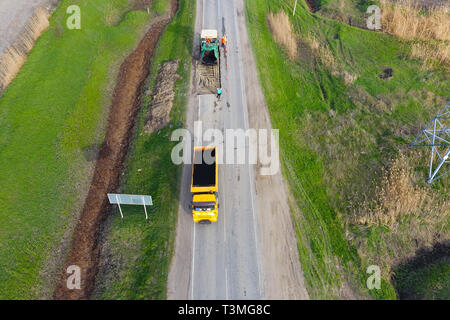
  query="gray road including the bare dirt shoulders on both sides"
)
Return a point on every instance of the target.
[{"x": 251, "y": 252}]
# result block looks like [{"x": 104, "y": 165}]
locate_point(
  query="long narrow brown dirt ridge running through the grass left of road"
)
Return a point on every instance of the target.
[{"x": 126, "y": 101}]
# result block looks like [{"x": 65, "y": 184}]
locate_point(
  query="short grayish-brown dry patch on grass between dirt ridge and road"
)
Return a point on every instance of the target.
[{"x": 158, "y": 114}]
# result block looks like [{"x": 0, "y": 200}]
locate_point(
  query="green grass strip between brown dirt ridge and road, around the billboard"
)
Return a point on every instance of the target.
[{"x": 138, "y": 253}]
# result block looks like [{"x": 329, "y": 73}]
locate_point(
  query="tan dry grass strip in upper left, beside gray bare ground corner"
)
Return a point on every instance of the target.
[{"x": 16, "y": 54}]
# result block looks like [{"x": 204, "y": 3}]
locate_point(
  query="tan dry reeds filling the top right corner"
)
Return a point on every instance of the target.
[{"x": 405, "y": 19}]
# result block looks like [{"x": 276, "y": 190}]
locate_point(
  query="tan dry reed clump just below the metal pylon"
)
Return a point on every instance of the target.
[{"x": 398, "y": 196}]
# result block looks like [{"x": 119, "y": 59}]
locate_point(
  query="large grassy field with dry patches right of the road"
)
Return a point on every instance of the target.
[{"x": 344, "y": 135}]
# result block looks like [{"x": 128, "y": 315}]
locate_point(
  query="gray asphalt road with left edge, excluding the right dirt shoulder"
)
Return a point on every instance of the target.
[{"x": 225, "y": 258}]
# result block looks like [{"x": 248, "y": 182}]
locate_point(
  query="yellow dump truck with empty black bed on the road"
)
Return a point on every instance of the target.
[{"x": 204, "y": 185}]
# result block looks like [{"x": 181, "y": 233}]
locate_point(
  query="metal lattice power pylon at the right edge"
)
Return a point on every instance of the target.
[{"x": 436, "y": 136}]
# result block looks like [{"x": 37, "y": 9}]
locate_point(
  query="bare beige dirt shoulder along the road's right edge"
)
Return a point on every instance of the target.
[{"x": 283, "y": 275}]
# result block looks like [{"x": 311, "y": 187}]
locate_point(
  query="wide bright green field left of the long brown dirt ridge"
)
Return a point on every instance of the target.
[{"x": 52, "y": 119}]
